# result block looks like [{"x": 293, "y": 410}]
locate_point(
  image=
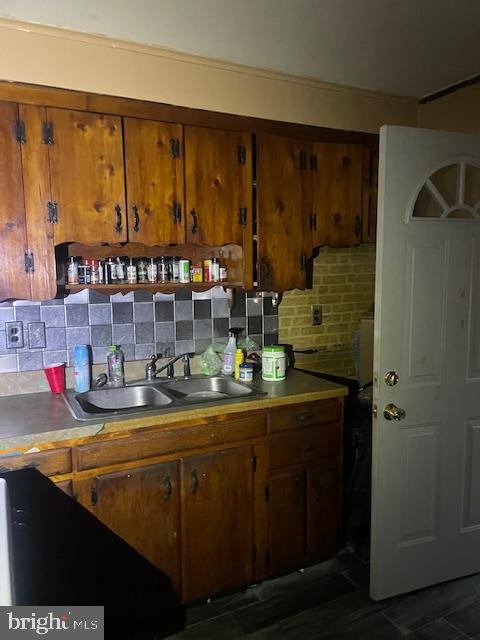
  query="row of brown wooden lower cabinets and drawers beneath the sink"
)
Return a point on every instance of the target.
[{"x": 225, "y": 510}]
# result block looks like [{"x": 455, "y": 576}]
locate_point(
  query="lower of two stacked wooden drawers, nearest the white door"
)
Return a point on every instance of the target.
[{"x": 287, "y": 449}]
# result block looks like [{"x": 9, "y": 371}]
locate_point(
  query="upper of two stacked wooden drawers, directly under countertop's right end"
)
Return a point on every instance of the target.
[{"x": 305, "y": 415}]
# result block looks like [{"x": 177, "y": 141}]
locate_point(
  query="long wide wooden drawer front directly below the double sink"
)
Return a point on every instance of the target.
[{"x": 168, "y": 441}]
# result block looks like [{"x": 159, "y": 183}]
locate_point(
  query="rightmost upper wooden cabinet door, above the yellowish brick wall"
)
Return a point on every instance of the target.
[{"x": 338, "y": 195}]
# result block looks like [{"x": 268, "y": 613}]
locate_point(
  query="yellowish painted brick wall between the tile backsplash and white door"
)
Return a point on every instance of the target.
[{"x": 344, "y": 284}]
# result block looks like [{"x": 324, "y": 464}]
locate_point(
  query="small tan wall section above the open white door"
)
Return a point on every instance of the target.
[{"x": 458, "y": 111}]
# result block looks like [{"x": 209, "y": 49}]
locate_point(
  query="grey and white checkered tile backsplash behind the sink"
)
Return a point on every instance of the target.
[{"x": 140, "y": 322}]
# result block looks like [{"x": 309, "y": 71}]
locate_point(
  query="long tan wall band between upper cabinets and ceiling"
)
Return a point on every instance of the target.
[{"x": 62, "y": 58}]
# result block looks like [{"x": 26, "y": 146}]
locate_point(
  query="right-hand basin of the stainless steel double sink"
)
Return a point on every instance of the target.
[{"x": 206, "y": 389}]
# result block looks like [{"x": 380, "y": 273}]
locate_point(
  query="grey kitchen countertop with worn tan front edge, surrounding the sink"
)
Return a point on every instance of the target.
[{"x": 30, "y": 420}]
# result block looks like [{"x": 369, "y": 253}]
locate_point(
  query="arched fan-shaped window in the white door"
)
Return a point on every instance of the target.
[{"x": 452, "y": 191}]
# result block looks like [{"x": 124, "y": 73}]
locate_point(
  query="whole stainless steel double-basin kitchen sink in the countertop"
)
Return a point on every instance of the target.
[{"x": 141, "y": 397}]
